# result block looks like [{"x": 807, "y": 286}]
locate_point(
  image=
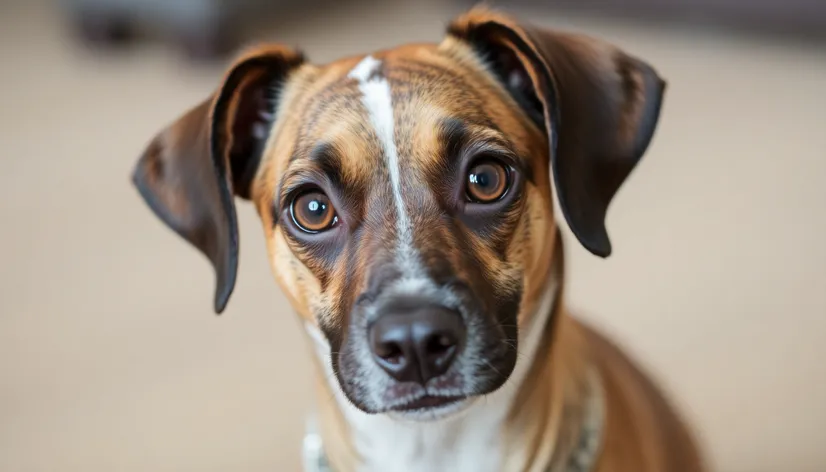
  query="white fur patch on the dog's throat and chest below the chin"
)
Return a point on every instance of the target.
[{"x": 469, "y": 441}]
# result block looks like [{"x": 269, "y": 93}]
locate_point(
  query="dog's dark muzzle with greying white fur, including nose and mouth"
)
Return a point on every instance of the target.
[{"x": 423, "y": 344}]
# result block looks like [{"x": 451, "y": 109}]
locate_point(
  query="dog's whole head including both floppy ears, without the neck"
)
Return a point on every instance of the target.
[{"x": 406, "y": 196}]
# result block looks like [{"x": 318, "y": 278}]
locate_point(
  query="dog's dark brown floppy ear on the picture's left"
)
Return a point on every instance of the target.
[{"x": 190, "y": 172}]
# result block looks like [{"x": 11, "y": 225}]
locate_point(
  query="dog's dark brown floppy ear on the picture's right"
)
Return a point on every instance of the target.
[{"x": 598, "y": 105}]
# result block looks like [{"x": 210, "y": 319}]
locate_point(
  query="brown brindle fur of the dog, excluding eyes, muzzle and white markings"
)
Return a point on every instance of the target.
[{"x": 445, "y": 96}]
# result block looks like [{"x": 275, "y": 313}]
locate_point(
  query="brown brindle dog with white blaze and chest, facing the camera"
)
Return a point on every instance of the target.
[{"x": 407, "y": 202}]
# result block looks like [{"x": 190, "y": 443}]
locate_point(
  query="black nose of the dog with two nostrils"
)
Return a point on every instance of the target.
[{"x": 418, "y": 344}]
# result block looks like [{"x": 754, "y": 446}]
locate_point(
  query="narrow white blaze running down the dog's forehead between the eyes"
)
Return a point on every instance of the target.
[{"x": 378, "y": 101}]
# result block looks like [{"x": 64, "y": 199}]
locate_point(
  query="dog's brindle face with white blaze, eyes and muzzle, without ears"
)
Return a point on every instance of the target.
[{"x": 407, "y": 211}]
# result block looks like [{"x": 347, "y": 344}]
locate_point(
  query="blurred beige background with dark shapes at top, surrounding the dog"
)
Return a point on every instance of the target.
[{"x": 112, "y": 360}]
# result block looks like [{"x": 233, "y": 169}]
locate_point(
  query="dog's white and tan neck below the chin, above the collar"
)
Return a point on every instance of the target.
[{"x": 524, "y": 425}]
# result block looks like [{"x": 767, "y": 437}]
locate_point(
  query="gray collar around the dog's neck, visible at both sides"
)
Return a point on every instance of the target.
[{"x": 582, "y": 458}]
